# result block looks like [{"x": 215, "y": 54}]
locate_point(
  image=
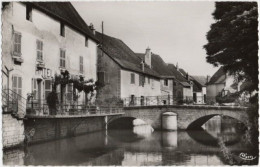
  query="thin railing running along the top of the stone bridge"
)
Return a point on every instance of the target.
[{"x": 167, "y": 100}]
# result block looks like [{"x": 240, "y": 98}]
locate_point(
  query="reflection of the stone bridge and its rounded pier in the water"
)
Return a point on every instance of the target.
[{"x": 171, "y": 141}]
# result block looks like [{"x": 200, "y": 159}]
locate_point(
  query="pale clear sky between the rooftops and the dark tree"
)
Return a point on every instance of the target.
[{"x": 174, "y": 30}]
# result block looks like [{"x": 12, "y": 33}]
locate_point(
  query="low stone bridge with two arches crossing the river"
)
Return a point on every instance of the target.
[{"x": 188, "y": 117}]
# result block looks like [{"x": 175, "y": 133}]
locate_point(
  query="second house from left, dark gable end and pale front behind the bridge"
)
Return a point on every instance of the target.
[{"x": 124, "y": 75}]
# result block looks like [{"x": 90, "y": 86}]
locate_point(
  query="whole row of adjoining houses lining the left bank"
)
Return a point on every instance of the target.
[{"x": 47, "y": 47}]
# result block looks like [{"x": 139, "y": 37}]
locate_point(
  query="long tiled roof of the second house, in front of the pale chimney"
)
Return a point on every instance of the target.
[{"x": 123, "y": 55}]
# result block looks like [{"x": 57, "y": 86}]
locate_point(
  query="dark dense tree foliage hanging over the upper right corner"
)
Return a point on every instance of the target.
[{"x": 233, "y": 40}]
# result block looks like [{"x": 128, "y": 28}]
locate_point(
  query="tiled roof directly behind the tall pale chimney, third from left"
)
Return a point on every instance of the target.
[{"x": 158, "y": 65}]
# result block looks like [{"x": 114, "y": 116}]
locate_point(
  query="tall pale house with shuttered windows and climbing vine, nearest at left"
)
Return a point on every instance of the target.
[{"x": 42, "y": 42}]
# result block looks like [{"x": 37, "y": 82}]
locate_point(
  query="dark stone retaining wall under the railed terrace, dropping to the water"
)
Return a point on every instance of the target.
[{"x": 55, "y": 128}]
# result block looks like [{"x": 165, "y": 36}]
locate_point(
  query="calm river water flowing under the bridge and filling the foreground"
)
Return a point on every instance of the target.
[{"x": 140, "y": 146}]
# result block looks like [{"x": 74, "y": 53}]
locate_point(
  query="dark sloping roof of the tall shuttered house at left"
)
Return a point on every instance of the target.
[{"x": 65, "y": 12}]
